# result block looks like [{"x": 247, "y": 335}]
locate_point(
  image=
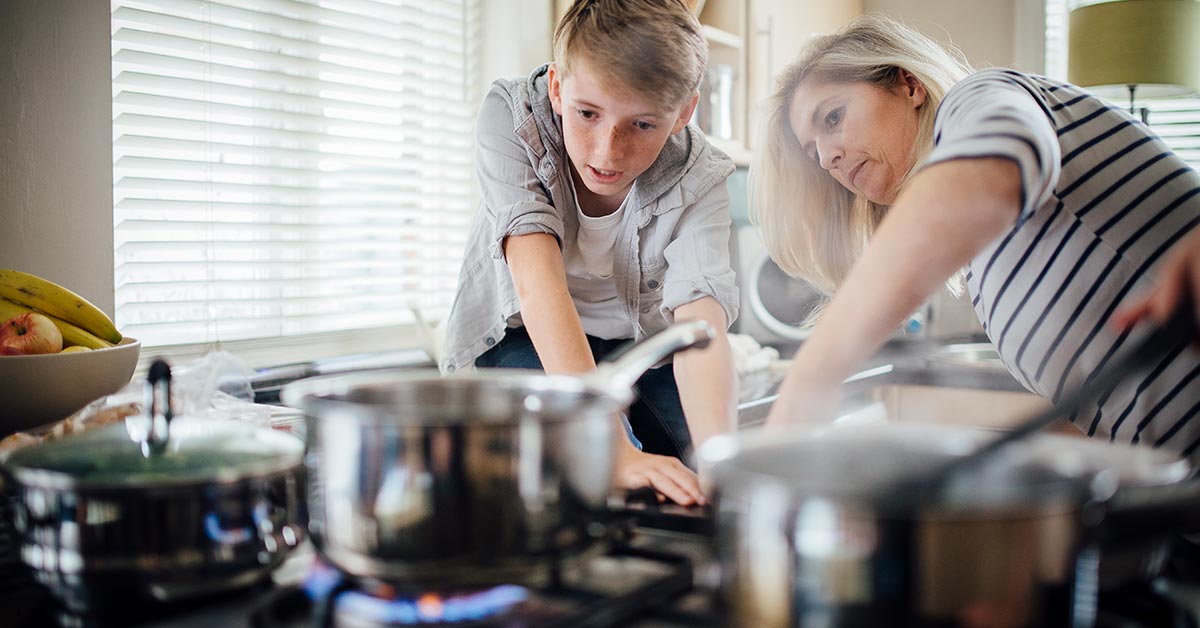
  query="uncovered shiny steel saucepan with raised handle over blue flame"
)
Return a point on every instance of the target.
[{"x": 471, "y": 479}]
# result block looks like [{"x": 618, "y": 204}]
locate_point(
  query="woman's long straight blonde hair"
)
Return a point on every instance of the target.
[{"x": 815, "y": 229}]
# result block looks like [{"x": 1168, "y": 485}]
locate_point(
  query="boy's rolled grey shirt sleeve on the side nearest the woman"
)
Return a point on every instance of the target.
[{"x": 699, "y": 256}]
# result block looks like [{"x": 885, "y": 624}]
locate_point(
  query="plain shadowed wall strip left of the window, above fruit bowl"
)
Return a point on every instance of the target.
[{"x": 57, "y": 143}]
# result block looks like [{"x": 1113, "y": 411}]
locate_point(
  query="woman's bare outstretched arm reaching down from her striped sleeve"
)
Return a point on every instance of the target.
[{"x": 947, "y": 214}]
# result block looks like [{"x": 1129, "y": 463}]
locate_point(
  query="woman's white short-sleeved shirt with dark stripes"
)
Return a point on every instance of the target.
[{"x": 1102, "y": 201}]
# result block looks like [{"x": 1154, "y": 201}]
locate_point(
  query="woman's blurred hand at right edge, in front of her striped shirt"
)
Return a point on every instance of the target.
[{"x": 1178, "y": 286}]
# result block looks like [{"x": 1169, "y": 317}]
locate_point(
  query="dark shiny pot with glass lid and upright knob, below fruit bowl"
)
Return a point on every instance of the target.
[{"x": 157, "y": 511}]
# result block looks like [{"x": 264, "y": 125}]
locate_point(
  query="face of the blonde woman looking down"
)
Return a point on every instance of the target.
[{"x": 861, "y": 134}]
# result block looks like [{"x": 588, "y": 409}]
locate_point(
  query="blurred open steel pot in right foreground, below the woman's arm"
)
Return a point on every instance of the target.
[{"x": 813, "y": 533}]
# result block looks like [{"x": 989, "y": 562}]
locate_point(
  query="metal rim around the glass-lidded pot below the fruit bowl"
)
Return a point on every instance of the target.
[{"x": 283, "y": 462}]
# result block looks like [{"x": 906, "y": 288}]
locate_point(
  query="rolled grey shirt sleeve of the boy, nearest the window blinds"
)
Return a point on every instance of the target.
[{"x": 514, "y": 199}]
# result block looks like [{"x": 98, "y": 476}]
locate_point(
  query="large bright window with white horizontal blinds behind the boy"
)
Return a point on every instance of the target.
[{"x": 291, "y": 174}]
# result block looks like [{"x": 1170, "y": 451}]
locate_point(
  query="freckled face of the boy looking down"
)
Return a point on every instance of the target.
[{"x": 613, "y": 136}]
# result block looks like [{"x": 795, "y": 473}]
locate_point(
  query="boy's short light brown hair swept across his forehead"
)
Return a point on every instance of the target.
[{"x": 651, "y": 47}]
